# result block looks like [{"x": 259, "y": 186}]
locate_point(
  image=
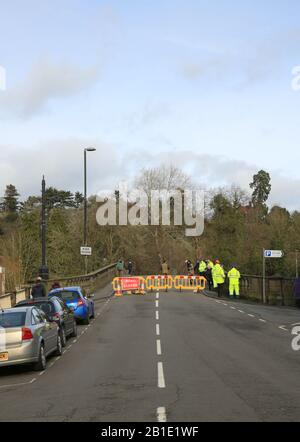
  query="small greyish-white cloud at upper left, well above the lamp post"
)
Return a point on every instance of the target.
[{"x": 46, "y": 81}]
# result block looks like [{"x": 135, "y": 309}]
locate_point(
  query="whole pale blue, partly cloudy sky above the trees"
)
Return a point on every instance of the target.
[{"x": 205, "y": 85}]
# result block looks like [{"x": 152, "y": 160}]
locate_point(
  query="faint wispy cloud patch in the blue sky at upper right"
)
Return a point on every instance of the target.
[{"x": 262, "y": 61}]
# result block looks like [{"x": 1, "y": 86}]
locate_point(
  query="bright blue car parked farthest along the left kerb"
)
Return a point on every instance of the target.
[{"x": 75, "y": 297}]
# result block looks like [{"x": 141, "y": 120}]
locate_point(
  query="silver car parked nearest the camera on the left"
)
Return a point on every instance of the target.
[{"x": 26, "y": 336}]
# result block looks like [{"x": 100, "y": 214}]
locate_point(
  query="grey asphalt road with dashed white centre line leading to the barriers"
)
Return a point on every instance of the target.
[{"x": 175, "y": 357}]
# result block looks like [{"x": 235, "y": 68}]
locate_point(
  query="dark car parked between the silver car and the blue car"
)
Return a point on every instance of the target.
[{"x": 56, "y": 310}]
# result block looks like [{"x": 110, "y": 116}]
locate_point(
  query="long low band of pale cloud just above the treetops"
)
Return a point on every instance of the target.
[{"x": 62, "y": 163}]
